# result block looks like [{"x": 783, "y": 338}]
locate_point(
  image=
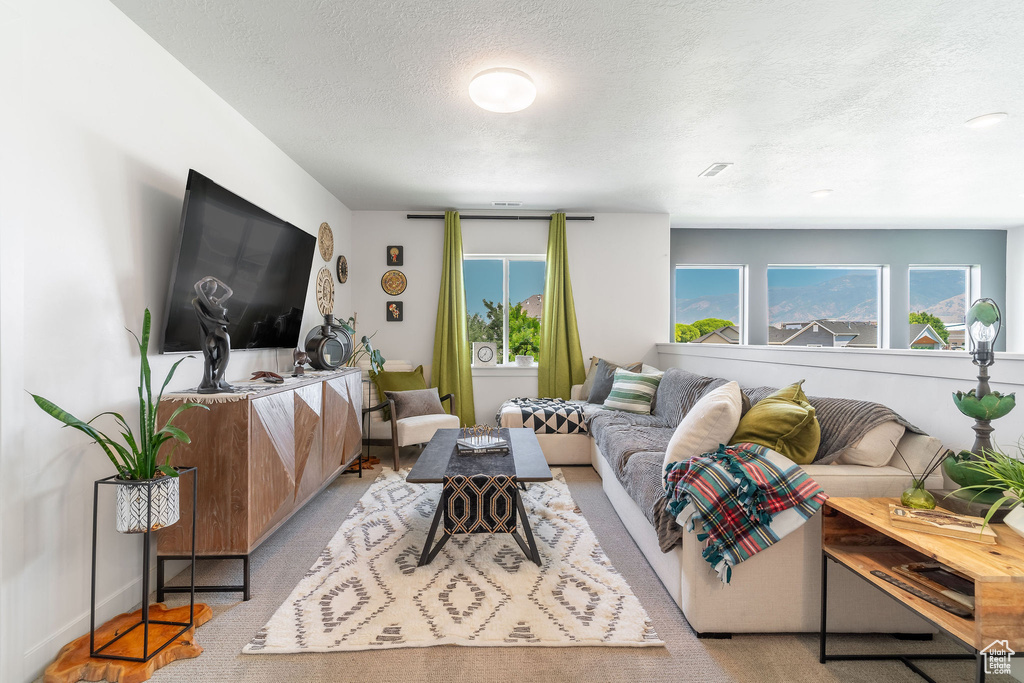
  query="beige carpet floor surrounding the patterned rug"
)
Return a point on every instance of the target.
[{"x": 282, "y": 562}]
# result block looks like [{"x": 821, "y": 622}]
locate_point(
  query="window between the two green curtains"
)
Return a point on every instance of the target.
[{"x": 504, "y": 300}]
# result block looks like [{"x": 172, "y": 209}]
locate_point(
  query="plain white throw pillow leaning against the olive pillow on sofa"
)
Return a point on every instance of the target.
[{"x": 710, "y": 423}]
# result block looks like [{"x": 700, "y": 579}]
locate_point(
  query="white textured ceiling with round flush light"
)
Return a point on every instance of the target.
[{"x": 634, "y": 101}]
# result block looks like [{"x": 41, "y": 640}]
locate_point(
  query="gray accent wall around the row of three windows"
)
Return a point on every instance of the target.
[{"x": 898, "y": 249}]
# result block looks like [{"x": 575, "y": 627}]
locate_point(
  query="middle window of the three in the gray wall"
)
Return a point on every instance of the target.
[{"x": 823, "y": 306}]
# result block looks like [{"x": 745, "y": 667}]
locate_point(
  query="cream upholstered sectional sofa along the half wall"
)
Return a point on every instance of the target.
[{"x": 779, "y": 590}]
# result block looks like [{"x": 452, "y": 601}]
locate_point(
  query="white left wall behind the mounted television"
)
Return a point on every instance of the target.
[{"x": 100, "y": 129}]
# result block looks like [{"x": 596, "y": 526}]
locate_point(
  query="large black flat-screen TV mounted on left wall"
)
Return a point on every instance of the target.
[{"x": 263, "y": 259}]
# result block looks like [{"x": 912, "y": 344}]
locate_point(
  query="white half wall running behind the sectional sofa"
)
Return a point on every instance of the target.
[{"x": 916, "y": 385}]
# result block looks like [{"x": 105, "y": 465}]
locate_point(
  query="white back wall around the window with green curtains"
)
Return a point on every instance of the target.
[{"x": 619, "y": 266}]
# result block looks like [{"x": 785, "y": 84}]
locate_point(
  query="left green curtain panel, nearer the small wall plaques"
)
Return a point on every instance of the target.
[{"x": 451, "y": 372}]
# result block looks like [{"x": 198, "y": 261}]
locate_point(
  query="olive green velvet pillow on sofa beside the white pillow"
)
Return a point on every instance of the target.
[{"x": 785, "y": 422}]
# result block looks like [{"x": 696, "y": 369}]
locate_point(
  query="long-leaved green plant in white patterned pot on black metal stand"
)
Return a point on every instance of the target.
[{"x": 141, "y": 473}]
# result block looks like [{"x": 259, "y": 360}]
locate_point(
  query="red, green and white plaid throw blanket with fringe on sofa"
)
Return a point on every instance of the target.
[{"x": 747, "y": 498}]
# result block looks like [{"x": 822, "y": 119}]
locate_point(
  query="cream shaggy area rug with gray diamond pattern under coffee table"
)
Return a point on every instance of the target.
[{"x": 366, "y": 591}]
